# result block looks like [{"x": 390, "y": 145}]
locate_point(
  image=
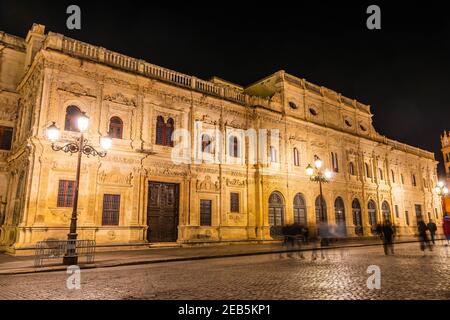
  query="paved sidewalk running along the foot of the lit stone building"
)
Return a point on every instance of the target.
[{"x": 10, "y": 265}]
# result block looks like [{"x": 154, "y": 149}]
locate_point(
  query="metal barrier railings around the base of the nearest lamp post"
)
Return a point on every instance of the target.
[{"x": 56, "y": 249}]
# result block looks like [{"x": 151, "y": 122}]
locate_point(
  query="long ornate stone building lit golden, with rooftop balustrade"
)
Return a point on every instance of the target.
[{"x": 138, "y": 194}]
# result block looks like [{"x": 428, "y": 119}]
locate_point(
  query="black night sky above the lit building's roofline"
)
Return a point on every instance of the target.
[{"x": 402, "y": 70}]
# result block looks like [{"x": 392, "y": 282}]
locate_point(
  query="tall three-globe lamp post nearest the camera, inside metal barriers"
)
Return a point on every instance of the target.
[{"x": 80, "y": 146}]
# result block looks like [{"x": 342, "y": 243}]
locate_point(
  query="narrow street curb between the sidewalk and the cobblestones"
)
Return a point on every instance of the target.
[{"x": 181, "y": 259}]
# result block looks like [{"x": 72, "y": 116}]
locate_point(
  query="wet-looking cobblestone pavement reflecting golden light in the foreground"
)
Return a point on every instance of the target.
[{"x": 341, "y": 274}]
